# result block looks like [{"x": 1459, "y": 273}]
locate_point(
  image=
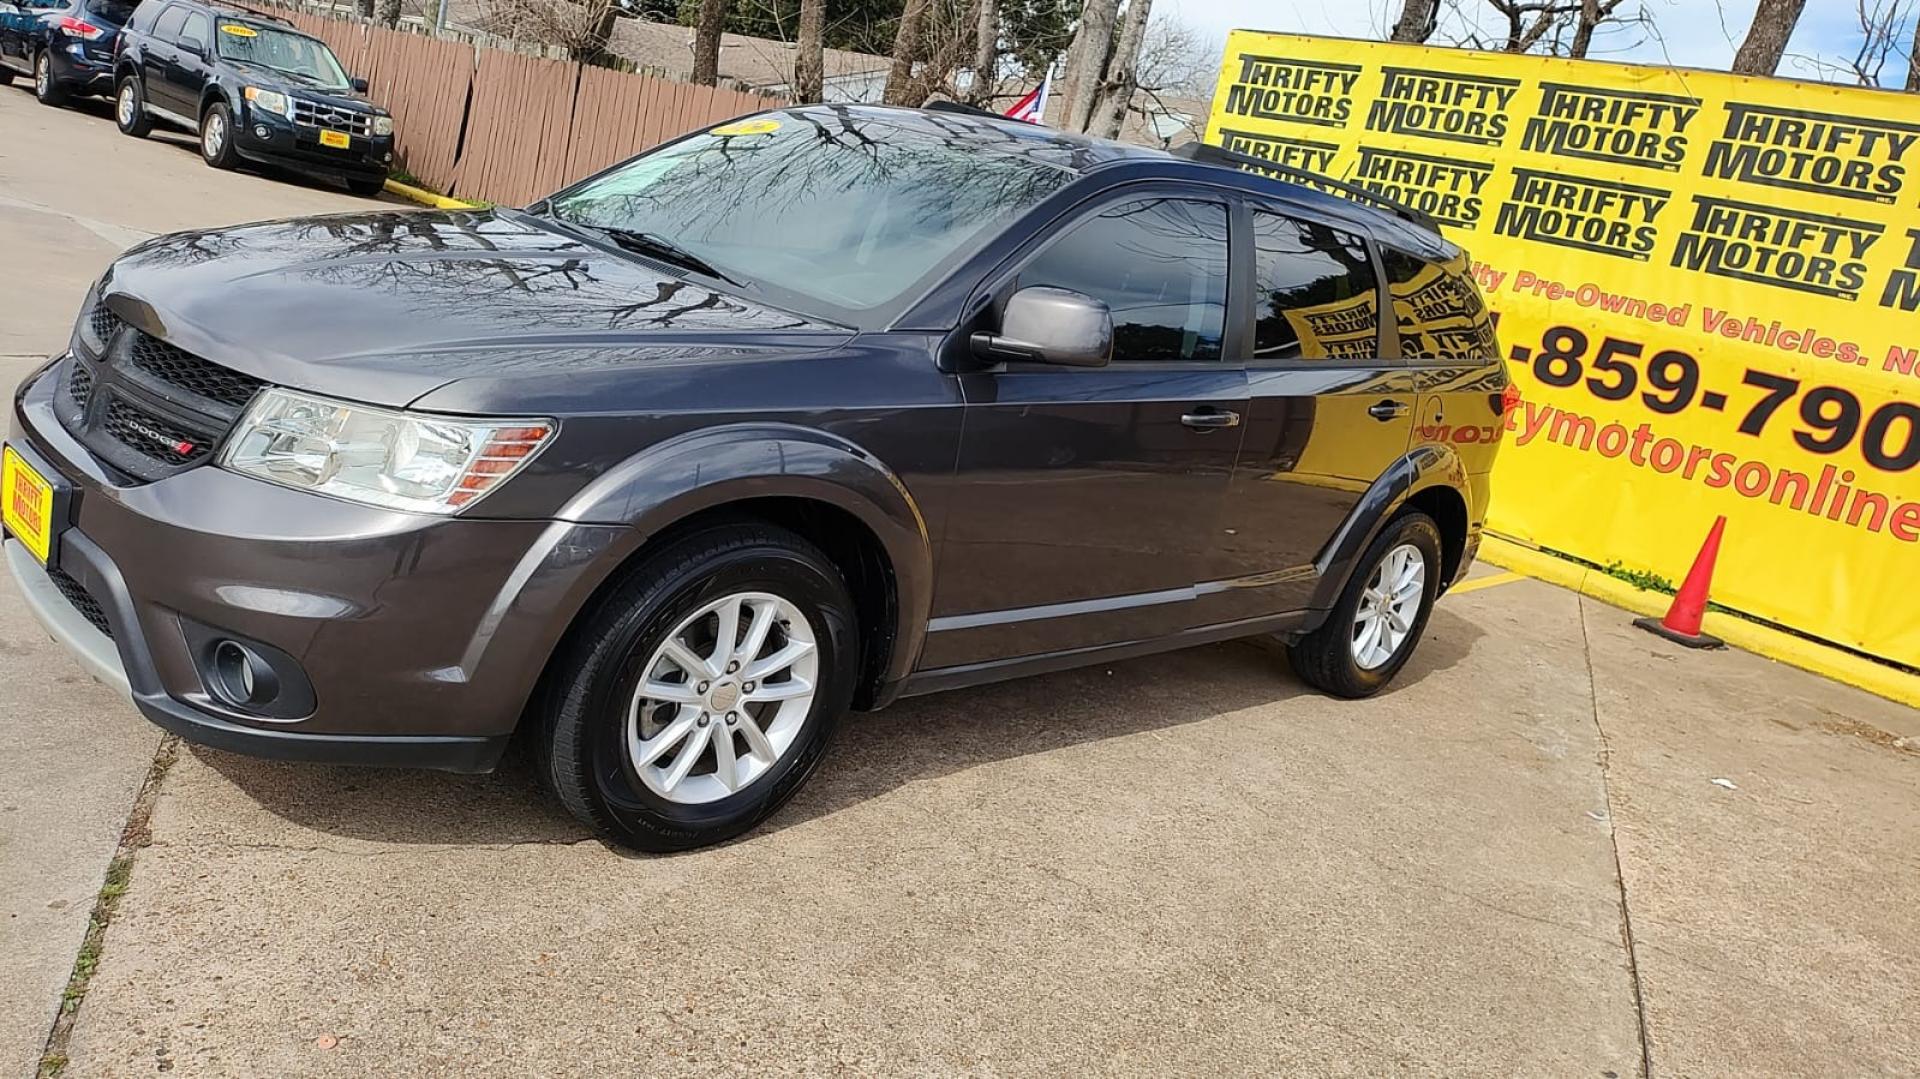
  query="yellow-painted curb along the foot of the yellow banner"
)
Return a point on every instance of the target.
[{"x": 1752, "y": 636}]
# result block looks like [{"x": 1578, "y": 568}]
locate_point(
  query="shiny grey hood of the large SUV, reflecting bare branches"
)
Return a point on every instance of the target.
[{"x": 387, "y": 308}]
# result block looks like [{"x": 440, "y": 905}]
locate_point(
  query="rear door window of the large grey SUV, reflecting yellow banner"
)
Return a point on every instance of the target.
[{"x": 1316, "y": 293}]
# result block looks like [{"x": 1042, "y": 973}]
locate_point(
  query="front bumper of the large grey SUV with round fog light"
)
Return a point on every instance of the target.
[{"x": 421, "y": 636}]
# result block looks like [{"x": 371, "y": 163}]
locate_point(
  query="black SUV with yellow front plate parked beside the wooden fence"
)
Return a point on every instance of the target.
[{"x": 254, "y": 89}]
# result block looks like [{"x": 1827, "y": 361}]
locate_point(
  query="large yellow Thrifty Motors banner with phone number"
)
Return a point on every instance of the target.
[{"x": 1708, "y": 287}]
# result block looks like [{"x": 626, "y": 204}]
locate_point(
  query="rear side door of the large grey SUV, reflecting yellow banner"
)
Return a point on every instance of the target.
[{"x": 1332, "y": 406}]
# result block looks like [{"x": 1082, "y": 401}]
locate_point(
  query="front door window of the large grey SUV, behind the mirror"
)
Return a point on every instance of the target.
[{"x": 1159, "y": 264}]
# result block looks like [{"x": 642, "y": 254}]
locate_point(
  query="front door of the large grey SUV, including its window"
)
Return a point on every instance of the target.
[{"x": 1090, "y": 500}]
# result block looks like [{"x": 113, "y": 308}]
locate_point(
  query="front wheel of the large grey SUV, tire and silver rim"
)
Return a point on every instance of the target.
[{"x": 704, "y": 690}]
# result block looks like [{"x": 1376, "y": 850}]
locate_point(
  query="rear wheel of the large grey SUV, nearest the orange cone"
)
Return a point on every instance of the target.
[{"x": 1341, "y": 658}]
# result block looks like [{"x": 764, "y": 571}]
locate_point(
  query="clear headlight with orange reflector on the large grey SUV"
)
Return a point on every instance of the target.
[{"x": 412, "y": 462}]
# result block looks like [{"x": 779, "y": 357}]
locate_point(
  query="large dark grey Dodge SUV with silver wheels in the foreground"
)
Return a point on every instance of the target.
[{"x": 811, "y": 410}]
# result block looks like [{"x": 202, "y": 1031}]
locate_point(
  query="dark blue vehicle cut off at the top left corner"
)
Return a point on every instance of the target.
[{"x": 66, "y": 47}]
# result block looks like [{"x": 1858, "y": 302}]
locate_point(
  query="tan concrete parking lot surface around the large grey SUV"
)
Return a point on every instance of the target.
[{"x": 1556, "y": 848}]
